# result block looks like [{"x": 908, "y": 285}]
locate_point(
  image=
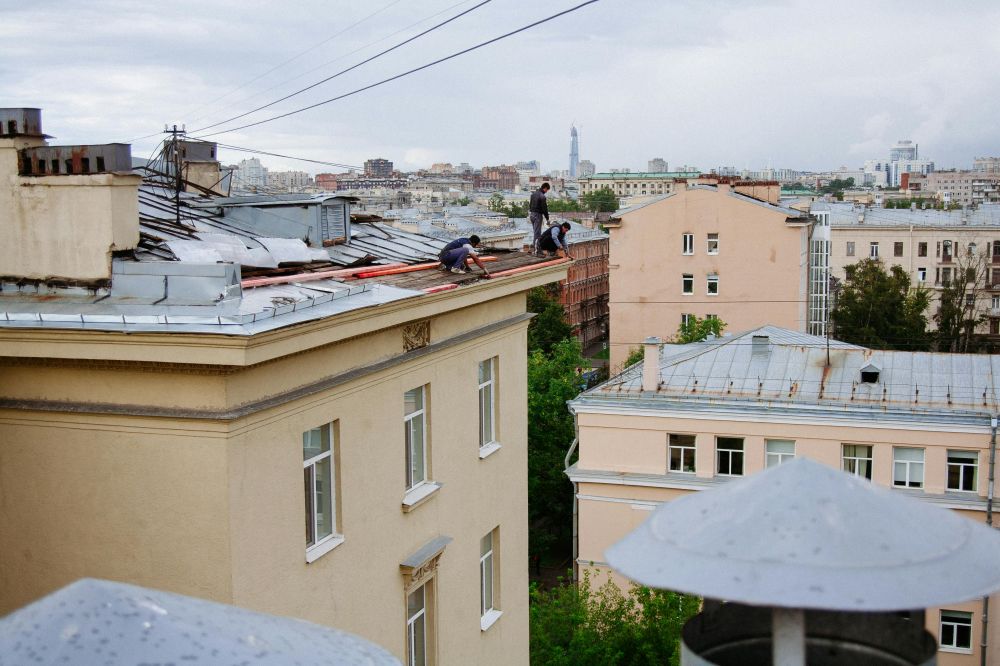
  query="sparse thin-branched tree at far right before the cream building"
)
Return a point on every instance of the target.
[{"x": 963, "y": 302}]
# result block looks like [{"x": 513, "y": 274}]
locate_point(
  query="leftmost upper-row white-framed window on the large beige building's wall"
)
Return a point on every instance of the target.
[{"x": 319, "y": 480}]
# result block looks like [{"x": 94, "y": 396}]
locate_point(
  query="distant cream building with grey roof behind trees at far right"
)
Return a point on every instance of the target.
[{"x": 928, "y": 244}]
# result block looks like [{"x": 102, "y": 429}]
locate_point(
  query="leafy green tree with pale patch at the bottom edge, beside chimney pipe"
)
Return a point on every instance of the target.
[{"x": 580, "y": 624}]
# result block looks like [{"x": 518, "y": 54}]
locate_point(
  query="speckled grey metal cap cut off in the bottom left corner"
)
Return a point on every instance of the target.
[{"x": 104, "y": 622}]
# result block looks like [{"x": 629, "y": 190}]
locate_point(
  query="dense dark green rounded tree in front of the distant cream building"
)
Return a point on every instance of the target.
[{"x": 880, "y": 309}]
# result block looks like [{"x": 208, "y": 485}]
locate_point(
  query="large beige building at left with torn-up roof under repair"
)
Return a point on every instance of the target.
[{"x": 205, "y": 406}]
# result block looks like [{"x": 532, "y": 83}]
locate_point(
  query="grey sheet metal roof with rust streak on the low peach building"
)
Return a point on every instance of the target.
[{"x": 777, "y": 368}]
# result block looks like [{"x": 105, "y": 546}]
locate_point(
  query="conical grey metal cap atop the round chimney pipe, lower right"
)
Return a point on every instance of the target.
[{"x": 805, "y": 535}]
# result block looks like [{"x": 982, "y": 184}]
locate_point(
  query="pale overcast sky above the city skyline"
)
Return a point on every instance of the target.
[{"x": 804, "y": 85}]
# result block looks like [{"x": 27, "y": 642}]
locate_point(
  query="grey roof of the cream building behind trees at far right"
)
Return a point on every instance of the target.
[{"x": 847, "y": 215}]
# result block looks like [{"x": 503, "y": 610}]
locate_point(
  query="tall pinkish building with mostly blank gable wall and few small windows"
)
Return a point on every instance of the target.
[{"x": 713, "y": 248}]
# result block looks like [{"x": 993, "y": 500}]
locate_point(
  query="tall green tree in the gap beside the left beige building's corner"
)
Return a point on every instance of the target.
[{"x": 552, "y": 380}]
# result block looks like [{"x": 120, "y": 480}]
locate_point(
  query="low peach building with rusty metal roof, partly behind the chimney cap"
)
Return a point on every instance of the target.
[{"x": 694, "y": 417}]
